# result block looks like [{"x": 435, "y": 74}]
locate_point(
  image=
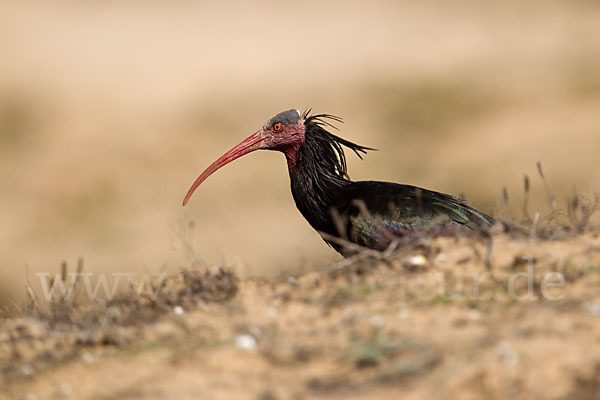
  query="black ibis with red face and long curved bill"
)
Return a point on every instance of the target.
[{"x": 348, "y": 214}]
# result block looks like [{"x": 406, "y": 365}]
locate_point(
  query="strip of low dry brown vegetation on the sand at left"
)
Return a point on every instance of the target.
[{"x": 47, "y": 332}]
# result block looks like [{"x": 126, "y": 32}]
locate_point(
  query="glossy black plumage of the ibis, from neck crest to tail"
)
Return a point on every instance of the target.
[{"x": 369, "y": 213}]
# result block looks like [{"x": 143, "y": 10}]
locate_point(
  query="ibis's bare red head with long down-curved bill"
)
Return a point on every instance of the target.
[{"x": 284, "y": 132}]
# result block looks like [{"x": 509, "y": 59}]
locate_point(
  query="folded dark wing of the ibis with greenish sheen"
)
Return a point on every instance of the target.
[{"x": 381, "y": 211}]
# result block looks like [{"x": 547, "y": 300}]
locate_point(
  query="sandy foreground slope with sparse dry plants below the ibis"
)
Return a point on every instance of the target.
[{"x": 519, "y": 319}]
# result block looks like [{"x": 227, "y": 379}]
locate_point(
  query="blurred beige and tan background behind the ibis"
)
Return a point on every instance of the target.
[{"x": 110, "y": 109}]
